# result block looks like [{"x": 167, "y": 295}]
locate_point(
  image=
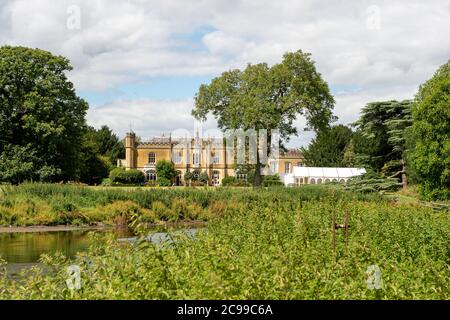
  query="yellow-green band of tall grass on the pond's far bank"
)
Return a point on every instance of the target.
[{"x": 51, "y": 204}]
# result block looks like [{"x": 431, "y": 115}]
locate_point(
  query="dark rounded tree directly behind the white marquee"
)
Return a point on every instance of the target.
[{"x": 328, "y": 147}]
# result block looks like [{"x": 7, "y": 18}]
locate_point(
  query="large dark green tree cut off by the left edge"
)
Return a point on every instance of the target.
[{"x": 40, "y": 116}]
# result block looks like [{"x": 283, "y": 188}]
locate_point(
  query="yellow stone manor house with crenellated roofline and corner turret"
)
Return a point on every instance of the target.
[{"x": 200, "y": 155}]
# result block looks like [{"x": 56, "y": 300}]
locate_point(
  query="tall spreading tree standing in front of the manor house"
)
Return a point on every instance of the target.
[{"x": 263, "y": 97}]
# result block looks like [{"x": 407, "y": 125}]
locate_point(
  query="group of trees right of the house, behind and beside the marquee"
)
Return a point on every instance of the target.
[{"x": 397, "y": 141}]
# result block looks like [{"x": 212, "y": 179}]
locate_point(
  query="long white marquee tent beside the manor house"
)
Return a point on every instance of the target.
[{"x": 319, "y": 175}]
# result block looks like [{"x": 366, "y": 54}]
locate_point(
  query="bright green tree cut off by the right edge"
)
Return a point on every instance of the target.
[{"x": 431, "y": 134}]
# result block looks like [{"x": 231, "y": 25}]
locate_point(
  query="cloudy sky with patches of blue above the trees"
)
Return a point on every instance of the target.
[{"x": 139, "y": 63}]
